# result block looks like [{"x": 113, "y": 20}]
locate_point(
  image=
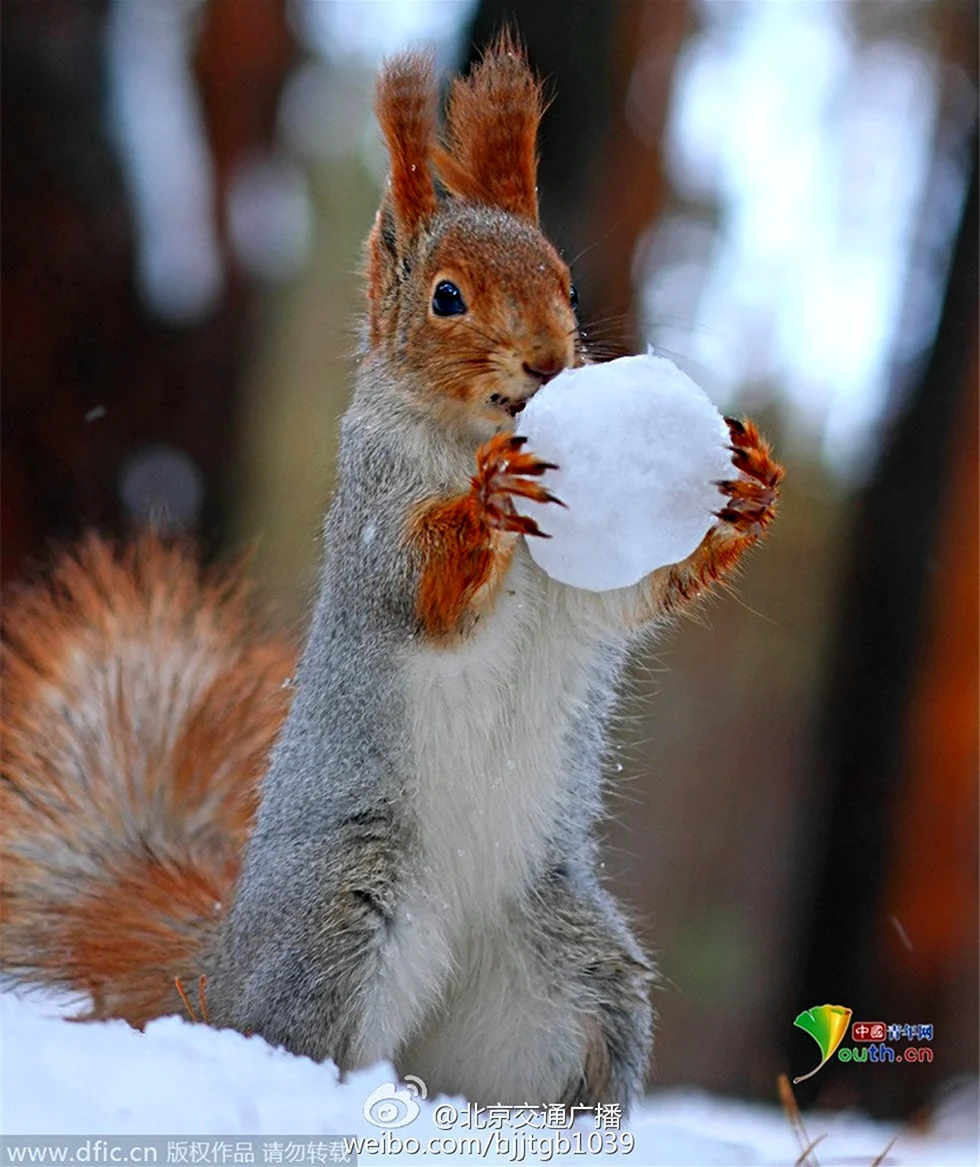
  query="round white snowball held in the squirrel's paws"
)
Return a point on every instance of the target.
[{"x": 640, "y": 449}]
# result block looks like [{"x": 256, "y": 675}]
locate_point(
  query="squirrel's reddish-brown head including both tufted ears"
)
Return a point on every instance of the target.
[{"x": 464, "y": 289}]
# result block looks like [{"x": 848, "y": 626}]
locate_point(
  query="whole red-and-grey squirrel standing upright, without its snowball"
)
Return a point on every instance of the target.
[{"x": 387, "y": 850}]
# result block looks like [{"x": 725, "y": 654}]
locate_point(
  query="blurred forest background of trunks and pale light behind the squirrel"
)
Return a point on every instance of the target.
[{"x": 780, "y": 195}]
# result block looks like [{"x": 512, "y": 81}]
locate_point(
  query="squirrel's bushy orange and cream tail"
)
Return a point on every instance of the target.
[{"x": 139, "y": 704}]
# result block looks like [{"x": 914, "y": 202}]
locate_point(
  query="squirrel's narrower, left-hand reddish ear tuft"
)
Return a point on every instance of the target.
[{"x": 405, "y": 104}]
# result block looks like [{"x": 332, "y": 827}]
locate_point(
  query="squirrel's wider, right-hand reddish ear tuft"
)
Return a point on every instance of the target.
[{"x": 492, "y": 123}]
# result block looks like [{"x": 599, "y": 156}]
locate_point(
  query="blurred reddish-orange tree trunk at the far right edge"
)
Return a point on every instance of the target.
[{"x": 926, "y": 952}]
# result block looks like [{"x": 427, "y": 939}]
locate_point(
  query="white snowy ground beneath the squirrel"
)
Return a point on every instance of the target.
[{"x": 184, "y": 1080}]
